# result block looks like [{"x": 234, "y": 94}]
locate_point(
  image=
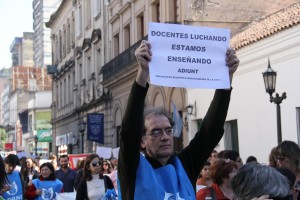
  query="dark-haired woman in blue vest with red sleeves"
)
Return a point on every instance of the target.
[{"x": 46, "y": 186}]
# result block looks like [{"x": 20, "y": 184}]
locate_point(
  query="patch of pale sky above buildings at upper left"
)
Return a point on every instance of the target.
[{"x": 15, "y": 18}]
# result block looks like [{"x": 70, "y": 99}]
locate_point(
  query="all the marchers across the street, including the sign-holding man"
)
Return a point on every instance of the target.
[{"x": 148, "y": 167}]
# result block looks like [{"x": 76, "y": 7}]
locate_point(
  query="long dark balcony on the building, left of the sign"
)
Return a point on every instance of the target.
[{"x": 120, "y": 62}]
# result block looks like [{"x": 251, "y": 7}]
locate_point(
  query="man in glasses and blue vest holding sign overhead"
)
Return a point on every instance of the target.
[{"x": 159, "y": 173}]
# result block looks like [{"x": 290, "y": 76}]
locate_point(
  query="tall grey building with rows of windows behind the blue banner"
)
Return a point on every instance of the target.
[{"x": 78, "y": 31}]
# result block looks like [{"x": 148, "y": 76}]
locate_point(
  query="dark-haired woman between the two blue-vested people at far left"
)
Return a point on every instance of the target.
[{"x": 28, "y": 172}]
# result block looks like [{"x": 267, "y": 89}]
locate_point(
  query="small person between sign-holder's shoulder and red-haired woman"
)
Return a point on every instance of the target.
[{"x": 205, "y": 179}]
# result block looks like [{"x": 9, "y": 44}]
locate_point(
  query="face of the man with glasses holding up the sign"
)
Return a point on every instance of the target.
[{"x": 159, "y": 147}]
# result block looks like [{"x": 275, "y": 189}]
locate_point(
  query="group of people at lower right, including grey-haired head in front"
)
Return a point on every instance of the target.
[{"x": 227, "y": 178}]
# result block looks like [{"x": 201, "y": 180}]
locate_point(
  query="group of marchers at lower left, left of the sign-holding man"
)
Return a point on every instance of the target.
[{"x": 27, "y": 179}]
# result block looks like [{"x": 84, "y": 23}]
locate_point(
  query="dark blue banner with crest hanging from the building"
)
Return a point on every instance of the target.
[{"x": 95, "y": 127}]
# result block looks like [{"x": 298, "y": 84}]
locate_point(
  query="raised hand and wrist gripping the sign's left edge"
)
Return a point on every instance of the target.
[{"x": 143, "y": 56}]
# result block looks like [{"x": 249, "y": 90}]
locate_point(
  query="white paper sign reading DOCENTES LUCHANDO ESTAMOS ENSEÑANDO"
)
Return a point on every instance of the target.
[{"x": 188, "y": 56}]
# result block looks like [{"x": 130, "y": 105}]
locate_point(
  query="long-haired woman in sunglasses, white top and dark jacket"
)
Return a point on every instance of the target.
[{"x": 94, "y": 184}]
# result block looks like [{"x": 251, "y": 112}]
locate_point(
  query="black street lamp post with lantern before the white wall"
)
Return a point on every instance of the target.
[{"x": 270, "y": 82}]
